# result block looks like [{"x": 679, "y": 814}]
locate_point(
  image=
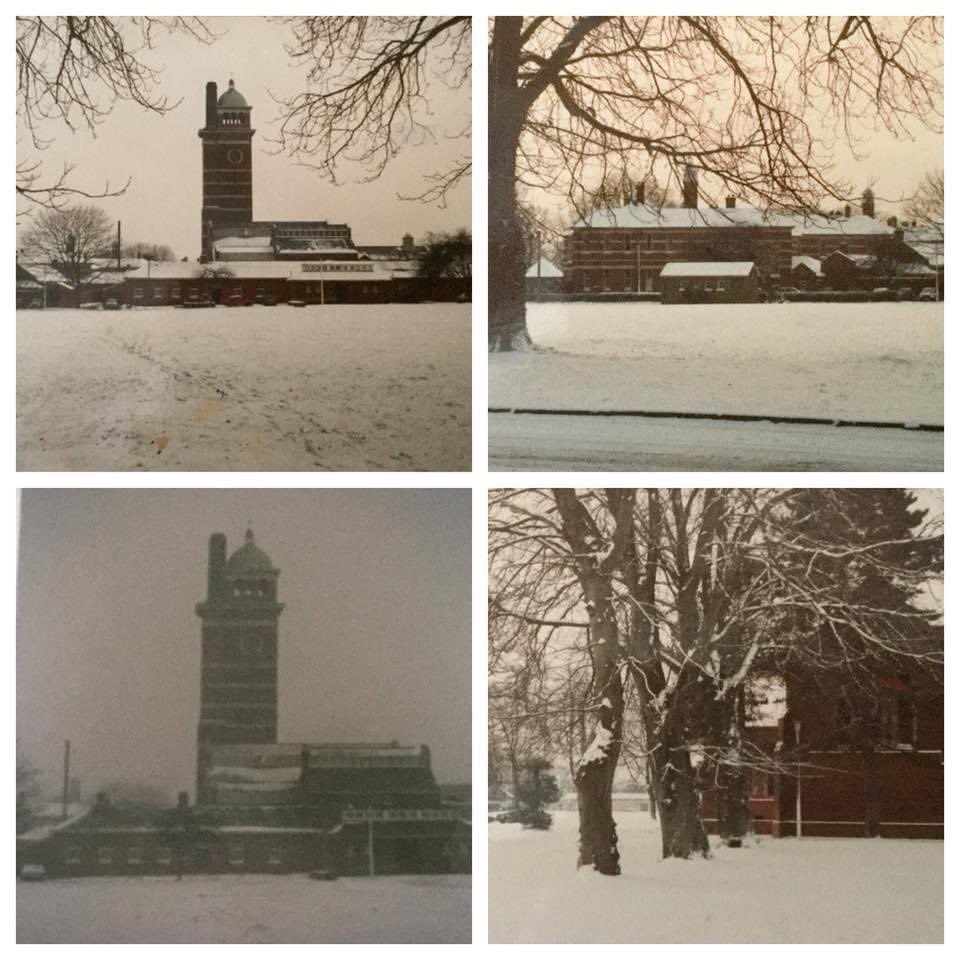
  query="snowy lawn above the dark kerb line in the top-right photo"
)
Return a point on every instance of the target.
[{"x": 857, "y": 361}]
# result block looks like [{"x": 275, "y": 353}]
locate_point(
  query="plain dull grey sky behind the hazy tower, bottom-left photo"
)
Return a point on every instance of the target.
[{"x": 374, "y": 640}]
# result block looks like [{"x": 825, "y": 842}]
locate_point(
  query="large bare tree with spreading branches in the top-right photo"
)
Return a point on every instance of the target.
[{"x": 755, "y": 104}]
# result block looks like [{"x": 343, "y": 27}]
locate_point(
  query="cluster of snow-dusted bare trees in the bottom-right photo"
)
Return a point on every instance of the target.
[{"x": 682, "y": 597}]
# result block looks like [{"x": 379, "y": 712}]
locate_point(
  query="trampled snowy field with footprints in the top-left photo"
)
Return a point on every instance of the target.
[{"x": 367, "y": 387}]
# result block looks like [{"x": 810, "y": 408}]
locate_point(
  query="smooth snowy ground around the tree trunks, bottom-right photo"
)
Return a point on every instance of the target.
[{"x": 771, "y": 891}]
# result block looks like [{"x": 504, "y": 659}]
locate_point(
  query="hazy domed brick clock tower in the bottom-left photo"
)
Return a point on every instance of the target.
[{"x": 239, "y": 629}]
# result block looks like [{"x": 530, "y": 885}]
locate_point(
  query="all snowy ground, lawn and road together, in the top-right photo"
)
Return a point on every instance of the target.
[{"x": 860, "y": 361}]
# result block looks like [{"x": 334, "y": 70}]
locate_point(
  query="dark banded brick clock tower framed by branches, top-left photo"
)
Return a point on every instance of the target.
[{"x": 227, "y": 165}]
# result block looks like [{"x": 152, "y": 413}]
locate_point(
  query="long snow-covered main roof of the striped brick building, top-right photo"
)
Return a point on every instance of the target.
[{"x": 645, "y": 215}]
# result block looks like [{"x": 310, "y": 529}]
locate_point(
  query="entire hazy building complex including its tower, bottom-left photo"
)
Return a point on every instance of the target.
[{"x": 264, "y": 806}]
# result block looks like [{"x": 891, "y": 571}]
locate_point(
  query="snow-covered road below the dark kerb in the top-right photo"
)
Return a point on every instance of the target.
[{"x": 536, "y": 442}]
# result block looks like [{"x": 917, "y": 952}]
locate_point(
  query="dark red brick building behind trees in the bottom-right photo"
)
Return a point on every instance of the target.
[{"x": 838, "y": 775}]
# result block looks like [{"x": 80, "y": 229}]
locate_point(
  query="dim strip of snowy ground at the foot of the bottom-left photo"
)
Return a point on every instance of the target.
[{"x": 251, "y": 909}]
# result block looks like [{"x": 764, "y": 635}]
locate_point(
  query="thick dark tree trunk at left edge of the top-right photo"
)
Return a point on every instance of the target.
[{"x": 506, "y": 251}]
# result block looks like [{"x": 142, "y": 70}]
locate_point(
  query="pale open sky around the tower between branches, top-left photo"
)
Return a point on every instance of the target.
[{"x": 162, "y": 153}]
